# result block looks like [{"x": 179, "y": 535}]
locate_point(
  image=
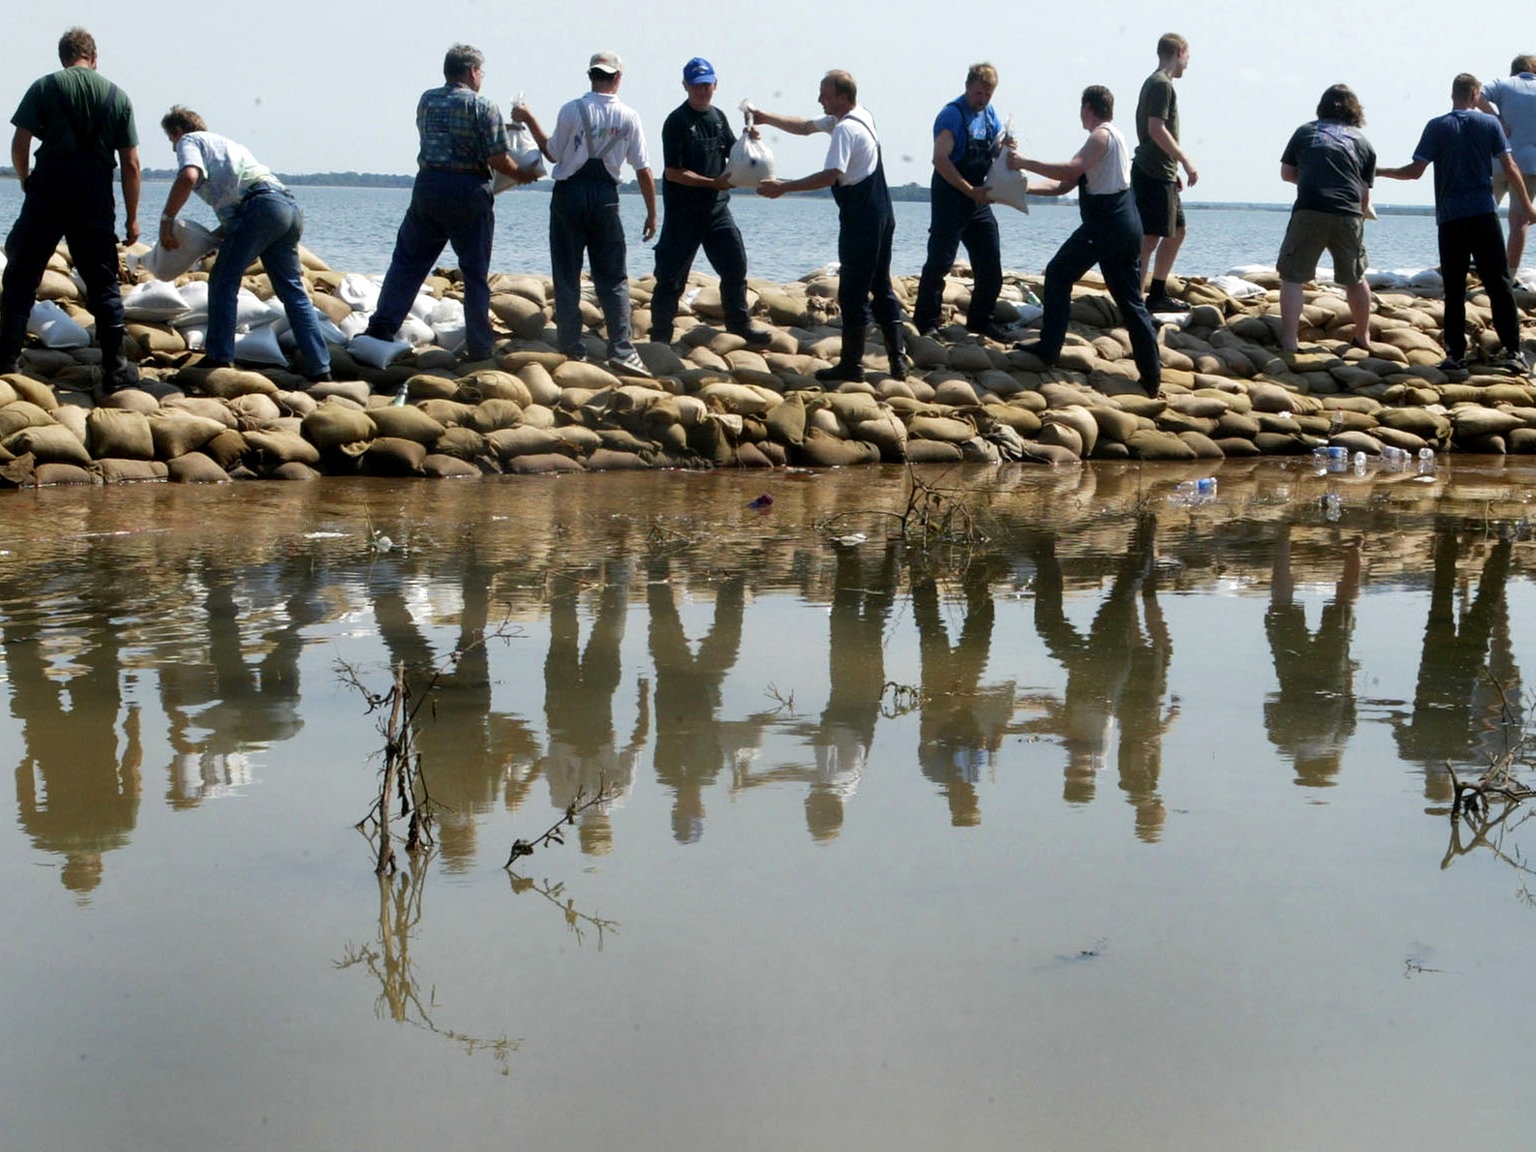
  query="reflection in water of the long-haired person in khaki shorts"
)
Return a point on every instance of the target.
[{"x": 1313, "y": 715}]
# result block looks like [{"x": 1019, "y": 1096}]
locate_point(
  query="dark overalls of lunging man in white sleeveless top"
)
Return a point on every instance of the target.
[{"x": 1110, "y": 237}]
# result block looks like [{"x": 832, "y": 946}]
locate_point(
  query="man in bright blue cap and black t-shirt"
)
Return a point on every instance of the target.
[{"x": 697, "y": 145}]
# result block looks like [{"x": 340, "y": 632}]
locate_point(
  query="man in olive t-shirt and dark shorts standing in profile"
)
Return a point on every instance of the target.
[{"x": 1154, "y": 173}]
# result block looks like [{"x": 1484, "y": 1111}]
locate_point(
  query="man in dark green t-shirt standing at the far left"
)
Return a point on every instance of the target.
[{"x": 82, "y": 122}]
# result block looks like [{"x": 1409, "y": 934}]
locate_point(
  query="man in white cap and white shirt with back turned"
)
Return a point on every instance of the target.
[{"x": 595, "y": 136}]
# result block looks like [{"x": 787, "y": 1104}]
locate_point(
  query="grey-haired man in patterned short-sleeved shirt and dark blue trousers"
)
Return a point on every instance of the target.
[{"x": 463, "y": 141}]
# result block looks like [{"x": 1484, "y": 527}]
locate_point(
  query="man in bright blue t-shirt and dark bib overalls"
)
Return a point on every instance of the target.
[{"x": 967, "y": 139}]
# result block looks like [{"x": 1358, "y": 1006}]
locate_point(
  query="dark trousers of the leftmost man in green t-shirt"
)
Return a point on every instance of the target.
[{"x": 67, "y": 199}]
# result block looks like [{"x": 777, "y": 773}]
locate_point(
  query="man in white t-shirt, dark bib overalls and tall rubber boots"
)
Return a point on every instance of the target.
[{"x": 866, "y": 222}]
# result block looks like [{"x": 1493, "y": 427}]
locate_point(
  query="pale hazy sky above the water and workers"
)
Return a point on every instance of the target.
[{"x": 331, "y": 87}]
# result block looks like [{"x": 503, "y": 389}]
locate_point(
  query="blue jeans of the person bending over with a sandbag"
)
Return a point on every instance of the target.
[{"x": 268, "y": 223}]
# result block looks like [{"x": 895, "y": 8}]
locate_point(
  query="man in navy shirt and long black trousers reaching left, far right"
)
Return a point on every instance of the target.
[{"x": 1462, "y": 144}]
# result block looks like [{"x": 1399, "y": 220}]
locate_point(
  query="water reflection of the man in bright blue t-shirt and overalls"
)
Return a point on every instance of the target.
[{"x": 962, "y": 724}]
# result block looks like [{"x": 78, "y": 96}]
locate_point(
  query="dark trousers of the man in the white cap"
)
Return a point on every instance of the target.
[{"x": 584, "y": 220}]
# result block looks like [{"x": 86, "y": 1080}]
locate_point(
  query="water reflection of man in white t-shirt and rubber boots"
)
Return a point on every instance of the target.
[{"x": 856, "y": 670}]
